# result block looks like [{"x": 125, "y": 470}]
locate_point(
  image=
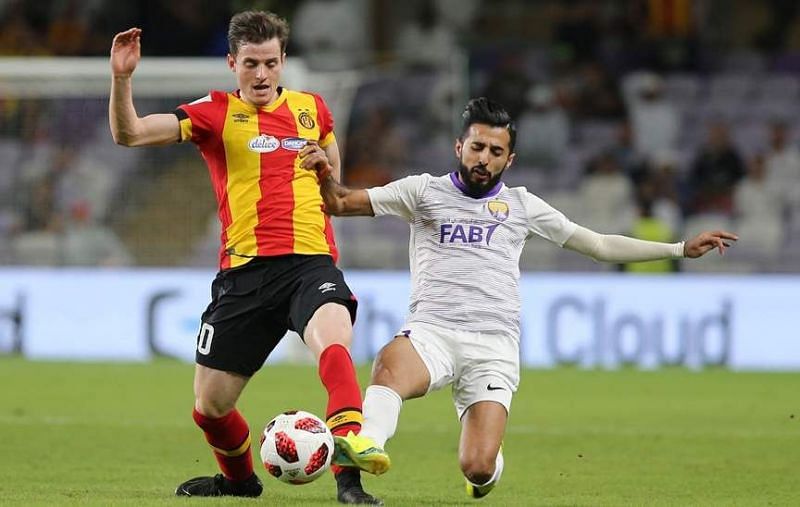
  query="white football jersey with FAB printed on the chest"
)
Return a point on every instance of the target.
[{"x": 464, "y": 251}]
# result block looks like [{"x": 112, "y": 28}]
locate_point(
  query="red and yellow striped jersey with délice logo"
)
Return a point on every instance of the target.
[{"x": 267, "y": 204}]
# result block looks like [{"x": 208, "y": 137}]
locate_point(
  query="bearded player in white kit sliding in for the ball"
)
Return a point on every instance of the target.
[{"x": 458, "y": 221}]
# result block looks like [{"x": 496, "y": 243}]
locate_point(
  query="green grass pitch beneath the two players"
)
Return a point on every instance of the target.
[{"x": 122, "y": 434}]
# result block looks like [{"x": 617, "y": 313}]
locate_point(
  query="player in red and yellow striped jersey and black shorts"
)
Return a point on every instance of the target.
[{"x": 277, "y": 259}]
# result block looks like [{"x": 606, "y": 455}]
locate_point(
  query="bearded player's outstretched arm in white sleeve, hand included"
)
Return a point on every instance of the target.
[{"x": 621, "y": 249}]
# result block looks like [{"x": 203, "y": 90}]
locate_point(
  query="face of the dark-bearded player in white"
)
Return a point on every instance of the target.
[{"x": 483, "y": 155}]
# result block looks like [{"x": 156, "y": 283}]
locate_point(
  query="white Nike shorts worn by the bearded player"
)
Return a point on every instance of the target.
[{"x": 480, "y": 366}]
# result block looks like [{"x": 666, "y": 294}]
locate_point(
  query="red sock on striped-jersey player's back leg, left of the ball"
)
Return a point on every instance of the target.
[{"x": 229, "y": 438}]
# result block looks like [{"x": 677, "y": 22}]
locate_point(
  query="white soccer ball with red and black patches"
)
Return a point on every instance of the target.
[{"x": 296, "y": 447}]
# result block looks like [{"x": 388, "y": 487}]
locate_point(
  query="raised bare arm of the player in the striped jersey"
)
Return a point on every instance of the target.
[{"x": 127, "y": 128}]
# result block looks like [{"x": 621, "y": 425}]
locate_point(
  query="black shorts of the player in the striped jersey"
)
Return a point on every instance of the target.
[{"x": 253, "y": 306}]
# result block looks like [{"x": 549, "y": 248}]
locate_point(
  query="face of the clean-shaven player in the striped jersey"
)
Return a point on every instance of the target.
[{"x": 258, "y": 69}]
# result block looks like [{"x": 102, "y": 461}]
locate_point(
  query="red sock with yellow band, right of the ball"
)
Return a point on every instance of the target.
[{"x": 344, "y": 395}]
